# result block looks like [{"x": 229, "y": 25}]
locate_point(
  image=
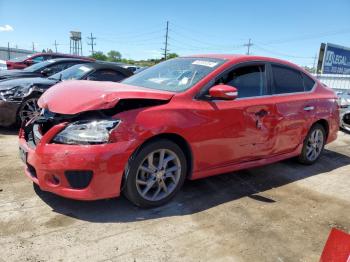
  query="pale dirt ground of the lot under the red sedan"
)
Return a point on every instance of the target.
[{"x": 281, "y": 212}]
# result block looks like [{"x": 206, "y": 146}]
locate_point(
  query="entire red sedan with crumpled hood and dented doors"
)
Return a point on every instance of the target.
[{"x": 188, "y": 117}]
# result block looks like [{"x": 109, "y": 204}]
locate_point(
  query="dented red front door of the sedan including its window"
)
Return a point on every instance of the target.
[{"x": 245, "y": 126}]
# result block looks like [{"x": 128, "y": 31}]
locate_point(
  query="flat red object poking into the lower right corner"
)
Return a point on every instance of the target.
[{"x": 337, "y": 248}]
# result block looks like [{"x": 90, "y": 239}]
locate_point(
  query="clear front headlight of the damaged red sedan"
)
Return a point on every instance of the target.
[{"x": 86, "y": 132}]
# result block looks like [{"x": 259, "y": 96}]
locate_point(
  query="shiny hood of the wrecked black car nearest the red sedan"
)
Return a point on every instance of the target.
[{"x": 24, "y": 82}]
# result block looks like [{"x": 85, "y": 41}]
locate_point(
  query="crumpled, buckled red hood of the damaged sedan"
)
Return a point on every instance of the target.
[{"x": 72, "y": 97}]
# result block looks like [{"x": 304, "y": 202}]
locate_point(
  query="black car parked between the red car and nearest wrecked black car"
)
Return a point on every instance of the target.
[{"x": 42, "y": 69}]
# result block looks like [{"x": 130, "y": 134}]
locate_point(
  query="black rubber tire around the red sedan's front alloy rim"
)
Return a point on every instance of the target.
[{"x": 130, "y": 188}]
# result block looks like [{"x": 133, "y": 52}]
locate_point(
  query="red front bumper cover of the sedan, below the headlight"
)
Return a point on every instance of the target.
[{"x": 47, "y": 164}]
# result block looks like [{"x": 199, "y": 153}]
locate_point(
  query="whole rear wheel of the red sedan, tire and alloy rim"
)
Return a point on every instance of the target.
[{"x": 313, "y": 145}]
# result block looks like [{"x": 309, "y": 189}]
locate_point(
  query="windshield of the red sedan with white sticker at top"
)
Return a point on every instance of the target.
[{"x": 175, "y": 75}]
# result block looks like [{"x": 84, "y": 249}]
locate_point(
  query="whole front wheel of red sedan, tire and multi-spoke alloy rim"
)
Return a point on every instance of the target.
[{"x": 155, "y": 173}]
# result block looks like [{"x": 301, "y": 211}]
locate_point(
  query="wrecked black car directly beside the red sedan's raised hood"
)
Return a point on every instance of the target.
[{"x": 18, "y": 97}]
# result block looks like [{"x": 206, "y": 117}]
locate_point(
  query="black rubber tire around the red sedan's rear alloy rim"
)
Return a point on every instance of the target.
[{"x": 304, "y": 158}]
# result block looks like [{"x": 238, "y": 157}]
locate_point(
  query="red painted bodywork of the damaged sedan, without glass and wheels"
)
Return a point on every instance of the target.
[{"x": 223, "y": 136}]
